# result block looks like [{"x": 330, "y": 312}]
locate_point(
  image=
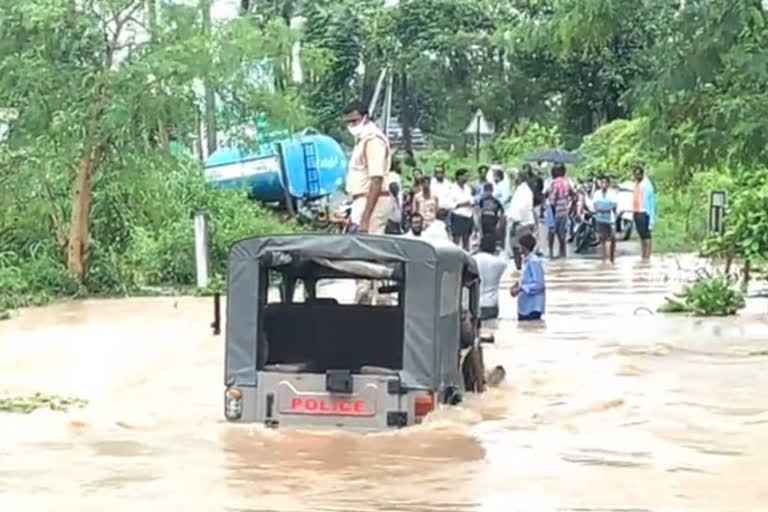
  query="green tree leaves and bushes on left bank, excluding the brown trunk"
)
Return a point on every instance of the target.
[{"x": 86, "y": 93}]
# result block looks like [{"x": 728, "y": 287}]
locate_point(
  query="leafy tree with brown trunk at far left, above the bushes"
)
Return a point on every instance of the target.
[{"x": 90, "y": 90}]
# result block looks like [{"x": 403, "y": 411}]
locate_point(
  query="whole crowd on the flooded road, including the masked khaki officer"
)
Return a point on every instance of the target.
[{"x": 498, "y": 212}]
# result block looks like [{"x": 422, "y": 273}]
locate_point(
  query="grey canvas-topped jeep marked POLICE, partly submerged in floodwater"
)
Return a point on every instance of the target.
[{"x": 323, "y": 357}]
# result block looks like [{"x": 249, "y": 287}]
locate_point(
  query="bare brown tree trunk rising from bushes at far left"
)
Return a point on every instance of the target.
[{"x": 79, "y": 229}]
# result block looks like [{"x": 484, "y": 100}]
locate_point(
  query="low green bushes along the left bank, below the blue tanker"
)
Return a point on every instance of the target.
[{"x": 142, "y": 232}]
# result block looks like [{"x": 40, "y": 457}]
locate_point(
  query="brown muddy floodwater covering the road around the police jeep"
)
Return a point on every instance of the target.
[{"x": 606, "y": 407}]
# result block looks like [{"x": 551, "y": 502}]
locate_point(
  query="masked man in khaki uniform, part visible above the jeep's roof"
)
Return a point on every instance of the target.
[{"x": 368, "y": 174}]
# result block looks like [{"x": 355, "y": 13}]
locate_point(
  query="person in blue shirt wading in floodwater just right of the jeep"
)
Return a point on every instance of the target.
[{"x": 530, "y": 290}]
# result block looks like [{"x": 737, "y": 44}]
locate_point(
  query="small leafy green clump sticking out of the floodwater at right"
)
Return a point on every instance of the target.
[{"x": 710, "y": 296}]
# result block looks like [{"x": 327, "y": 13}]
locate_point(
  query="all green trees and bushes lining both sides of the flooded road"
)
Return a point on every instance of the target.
[{"x": 101, "y": 128}]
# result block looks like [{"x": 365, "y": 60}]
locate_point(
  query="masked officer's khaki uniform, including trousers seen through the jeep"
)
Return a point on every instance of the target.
[{"x": 371, "y": 157}]
